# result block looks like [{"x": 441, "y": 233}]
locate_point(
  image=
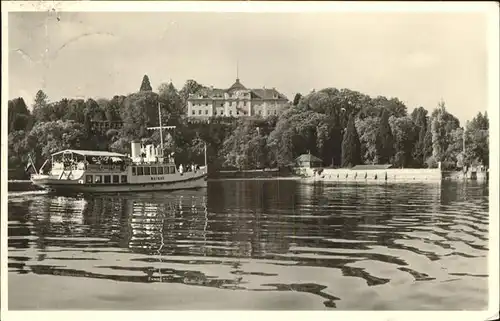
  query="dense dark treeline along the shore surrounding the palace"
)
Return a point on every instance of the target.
[{"x": 343, "y": 127}]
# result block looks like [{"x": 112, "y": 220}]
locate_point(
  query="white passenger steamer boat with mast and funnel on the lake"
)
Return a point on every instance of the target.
[{"x": 98, "y": 171}]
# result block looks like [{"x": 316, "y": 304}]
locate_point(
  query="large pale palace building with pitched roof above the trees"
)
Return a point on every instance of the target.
[{"x": 236, "y": 101}]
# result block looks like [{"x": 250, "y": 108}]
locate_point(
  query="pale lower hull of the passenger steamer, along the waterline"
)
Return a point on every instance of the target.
[{"x": 74, "y": 186}]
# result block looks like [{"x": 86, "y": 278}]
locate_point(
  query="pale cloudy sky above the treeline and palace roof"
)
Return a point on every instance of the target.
[{"x": 419, "y": 58}]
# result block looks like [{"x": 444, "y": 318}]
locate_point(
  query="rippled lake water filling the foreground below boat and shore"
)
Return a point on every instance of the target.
[{"x": 254, "y": 244}]
